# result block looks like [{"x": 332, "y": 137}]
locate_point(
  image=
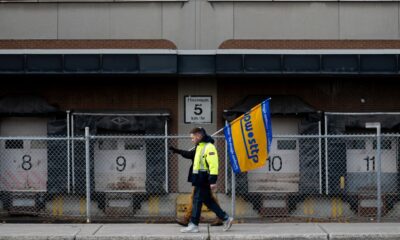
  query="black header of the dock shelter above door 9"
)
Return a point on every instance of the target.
[{"x": 143, "y": 121}]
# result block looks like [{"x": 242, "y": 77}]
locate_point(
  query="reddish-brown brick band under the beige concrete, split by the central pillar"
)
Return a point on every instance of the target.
[{"x": 229, "y": 44}]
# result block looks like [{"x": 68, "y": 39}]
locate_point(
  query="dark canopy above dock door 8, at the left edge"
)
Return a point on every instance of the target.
[{"x": 25, "y": 105}]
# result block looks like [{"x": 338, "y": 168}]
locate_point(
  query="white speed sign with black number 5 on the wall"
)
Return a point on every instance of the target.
[{"x": 198, "y": 109}]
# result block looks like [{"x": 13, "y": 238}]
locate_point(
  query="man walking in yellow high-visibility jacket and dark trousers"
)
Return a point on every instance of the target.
[{"x": 204, "y": 178}]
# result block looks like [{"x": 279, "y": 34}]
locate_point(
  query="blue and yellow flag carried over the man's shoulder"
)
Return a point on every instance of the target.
[{"x": 249, "y": 138}]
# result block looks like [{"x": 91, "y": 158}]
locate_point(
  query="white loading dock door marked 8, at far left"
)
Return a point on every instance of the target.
[{"x": 23, "y": 163}]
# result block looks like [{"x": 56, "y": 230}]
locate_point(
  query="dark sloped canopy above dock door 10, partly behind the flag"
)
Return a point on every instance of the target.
[{"x": 280, "y": 104}]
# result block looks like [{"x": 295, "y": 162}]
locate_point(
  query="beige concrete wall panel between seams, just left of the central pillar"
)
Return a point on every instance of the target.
[{"x": 110, "y": 21}]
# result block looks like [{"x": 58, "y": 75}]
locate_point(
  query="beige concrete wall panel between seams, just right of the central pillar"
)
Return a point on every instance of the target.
[{"x": 286, "y": 20}]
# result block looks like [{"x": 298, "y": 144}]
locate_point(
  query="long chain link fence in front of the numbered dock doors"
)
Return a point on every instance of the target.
[{"x": 136, "y": 178}]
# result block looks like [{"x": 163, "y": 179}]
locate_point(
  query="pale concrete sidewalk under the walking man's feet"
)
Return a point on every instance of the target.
[{"x": 326, "y": 231}]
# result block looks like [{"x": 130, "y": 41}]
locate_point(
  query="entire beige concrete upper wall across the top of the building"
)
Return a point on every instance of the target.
[{"x": 200, "y": 24}]
